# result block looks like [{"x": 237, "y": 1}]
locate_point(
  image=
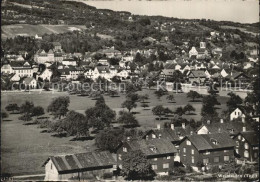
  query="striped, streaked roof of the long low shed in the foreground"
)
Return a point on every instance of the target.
[{"x": 82, "y": 161}]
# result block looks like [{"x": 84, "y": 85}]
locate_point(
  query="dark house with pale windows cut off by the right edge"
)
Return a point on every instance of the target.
[{"x": 247, "y": 143}]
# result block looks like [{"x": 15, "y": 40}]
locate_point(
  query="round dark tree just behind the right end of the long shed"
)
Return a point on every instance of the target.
[{"x": 109, "y": 139}]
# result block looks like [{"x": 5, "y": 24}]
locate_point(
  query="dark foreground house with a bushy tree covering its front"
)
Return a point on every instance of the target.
[{"x": 159, "y": 152}]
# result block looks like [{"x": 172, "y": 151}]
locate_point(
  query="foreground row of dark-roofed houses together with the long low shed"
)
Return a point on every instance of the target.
[{"x": 212, "y": 144}]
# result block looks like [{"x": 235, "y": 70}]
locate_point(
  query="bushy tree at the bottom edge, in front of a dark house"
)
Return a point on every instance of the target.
[{"x": 135, "y": 166}]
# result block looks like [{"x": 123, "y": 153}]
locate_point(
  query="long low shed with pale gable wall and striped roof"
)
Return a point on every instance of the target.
[{"x": 78, "y": 166}]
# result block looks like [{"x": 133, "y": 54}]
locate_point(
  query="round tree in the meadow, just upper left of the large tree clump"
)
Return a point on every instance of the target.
[{"x": 59, "y": 106}]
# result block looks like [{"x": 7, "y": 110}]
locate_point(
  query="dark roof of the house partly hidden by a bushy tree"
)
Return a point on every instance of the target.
[{"x": 161, "y": 146}]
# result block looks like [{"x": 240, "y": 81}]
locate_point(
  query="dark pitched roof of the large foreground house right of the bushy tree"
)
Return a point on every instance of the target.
[{"x": 205, "y": 142}]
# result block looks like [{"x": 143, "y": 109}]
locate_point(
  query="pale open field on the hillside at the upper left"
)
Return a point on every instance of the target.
[{"x": 9, "y": 31}]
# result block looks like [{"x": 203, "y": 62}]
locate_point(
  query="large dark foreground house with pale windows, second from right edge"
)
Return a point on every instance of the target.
[{"x": 208, "y": 149}]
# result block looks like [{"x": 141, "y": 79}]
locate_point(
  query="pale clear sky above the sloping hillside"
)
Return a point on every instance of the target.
[{"x": 246, "y": 11}]
